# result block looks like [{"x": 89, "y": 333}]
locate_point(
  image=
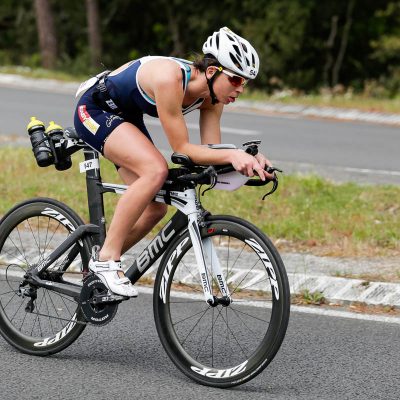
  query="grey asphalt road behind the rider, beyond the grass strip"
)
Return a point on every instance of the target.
[{"x": 339, "y": 150}]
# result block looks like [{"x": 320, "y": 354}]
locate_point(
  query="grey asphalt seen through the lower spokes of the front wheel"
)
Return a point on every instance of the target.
[{"x": 219, "y": 336}]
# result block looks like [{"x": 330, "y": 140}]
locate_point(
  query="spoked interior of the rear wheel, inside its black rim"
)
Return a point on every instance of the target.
[{"x": 34, "y": 312}]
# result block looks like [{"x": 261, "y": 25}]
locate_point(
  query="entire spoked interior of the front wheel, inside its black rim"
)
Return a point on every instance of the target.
[{"x": 222, "y": 336}]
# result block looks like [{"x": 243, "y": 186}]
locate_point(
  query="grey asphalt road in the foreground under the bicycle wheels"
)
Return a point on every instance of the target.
[{"x": 321, "y": 358}]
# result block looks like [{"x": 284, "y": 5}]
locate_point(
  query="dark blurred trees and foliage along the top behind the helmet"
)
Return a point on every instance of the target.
[{"x": 304, "y": 45}]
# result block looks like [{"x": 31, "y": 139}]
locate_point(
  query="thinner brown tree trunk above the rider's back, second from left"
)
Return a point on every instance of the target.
[{"x": 94, "y": 32}]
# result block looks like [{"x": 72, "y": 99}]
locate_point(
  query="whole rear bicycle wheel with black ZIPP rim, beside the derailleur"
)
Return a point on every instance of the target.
[{"x": 28, "y": 233}]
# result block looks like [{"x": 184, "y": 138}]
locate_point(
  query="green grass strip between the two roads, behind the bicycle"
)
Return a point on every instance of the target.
[{"x": 306, "y": 213}]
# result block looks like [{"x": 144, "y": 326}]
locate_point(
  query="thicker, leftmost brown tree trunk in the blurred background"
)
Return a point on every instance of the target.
[{"x": 46, "y": 32}]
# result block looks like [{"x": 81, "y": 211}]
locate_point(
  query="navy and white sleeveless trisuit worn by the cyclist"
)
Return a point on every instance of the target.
[{"x": 94, "y": 123}]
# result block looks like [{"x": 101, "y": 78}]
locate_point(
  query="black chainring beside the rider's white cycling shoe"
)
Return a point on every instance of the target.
[{"x": 96, "y": 313}]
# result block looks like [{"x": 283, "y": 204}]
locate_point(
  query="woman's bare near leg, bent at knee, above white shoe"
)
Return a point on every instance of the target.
[{"x": 129, "y": 148}]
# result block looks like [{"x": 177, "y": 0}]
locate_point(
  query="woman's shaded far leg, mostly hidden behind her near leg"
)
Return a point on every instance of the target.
[{"x": 152, "y": 214}]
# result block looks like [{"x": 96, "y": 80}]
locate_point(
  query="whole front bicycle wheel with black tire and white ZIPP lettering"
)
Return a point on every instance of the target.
[{"x": 214, "y": 356}]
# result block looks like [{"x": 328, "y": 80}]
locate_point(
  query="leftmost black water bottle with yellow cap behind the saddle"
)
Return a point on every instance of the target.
[{"x": 40, "y": 144}]
